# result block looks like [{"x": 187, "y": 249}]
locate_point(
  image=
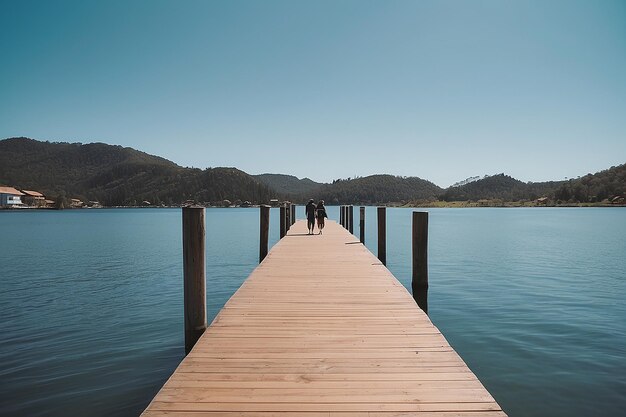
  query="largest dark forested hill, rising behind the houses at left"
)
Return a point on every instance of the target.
[{"x": 115, "y": 175}]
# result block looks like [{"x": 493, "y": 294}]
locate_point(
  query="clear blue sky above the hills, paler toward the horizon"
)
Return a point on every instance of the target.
[{"x": 442, "y": 90}]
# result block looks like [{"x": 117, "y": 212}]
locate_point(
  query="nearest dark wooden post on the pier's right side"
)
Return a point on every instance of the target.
[{"x": 419, "y": 282}]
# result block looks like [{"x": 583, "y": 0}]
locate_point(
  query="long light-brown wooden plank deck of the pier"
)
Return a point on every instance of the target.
[{"x": 322, "y": 328}]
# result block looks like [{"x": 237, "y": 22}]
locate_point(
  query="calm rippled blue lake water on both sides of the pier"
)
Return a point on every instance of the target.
[{"x": 91, "y": 302}]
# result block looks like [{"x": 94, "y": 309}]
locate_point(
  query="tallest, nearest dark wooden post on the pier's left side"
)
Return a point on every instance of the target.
[{"x": 194, "y": 280}]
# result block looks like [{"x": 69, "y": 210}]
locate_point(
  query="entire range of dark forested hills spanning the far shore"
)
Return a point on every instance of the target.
[{"x": 115, "y": 175}]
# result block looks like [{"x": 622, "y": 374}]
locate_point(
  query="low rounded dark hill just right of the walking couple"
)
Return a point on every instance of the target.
[{"x": 378, "y": 189}]
